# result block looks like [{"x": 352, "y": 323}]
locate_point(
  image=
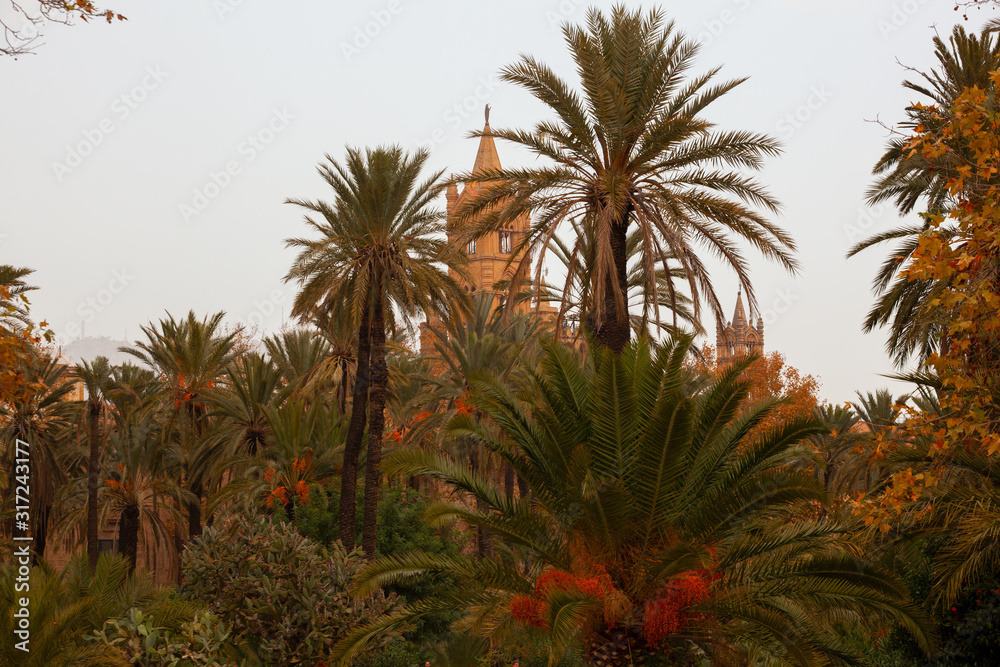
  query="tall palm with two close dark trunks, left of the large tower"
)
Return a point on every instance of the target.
[{"x": 377, "y": 257}]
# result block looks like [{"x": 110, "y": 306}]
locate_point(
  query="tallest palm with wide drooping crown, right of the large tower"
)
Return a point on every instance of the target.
[{"x": 629, "y": 149}]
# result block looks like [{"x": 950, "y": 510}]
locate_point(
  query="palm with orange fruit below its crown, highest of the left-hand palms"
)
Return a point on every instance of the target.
[{"x": 190, "y": 355}]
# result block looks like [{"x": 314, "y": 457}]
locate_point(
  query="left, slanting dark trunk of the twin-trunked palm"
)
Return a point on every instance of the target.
[{"x": 355, "y": 431}]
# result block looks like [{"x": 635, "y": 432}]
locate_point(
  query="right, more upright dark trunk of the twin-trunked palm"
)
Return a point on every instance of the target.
[{"x": 376, "y": 425}]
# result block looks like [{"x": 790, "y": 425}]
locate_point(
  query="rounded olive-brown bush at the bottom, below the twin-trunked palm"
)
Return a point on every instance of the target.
[{"x": 281, "y": 593}]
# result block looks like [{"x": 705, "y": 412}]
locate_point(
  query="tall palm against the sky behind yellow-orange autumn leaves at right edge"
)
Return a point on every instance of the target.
[{"x": 907, "y": 178}]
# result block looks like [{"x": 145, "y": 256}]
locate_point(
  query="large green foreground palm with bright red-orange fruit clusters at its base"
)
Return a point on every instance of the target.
[{"x": 655, "y": 525}]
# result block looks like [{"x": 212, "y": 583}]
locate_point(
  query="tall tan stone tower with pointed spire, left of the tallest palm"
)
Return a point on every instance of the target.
[{"x": 489, "y": 255}]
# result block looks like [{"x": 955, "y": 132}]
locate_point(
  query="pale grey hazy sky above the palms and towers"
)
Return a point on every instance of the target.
[{"x": 143, "y": 164}]
